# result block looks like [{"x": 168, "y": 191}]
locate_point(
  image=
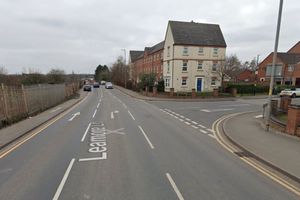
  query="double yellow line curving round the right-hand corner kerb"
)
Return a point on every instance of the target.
[{"x": 253, "y": 164}]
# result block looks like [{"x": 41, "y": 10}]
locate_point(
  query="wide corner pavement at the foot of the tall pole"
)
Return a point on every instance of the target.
[{"x": 278, "y": 149}]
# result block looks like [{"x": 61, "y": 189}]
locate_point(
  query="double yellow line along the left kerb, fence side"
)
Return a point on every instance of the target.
[{"x": 38, "y": 130}]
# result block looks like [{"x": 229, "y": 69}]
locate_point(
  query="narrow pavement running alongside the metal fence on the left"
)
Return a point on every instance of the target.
[{"x": 17, "y": 130}]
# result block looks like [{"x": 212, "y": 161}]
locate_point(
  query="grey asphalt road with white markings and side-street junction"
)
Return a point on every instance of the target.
[{"x": 119, "y": 147}]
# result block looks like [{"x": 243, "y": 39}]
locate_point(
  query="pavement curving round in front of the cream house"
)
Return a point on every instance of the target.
[{"x": 149, "y": 98}]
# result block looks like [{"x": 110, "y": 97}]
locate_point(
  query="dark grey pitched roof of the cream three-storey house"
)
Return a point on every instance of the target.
[{"x": 192, "y": 33}]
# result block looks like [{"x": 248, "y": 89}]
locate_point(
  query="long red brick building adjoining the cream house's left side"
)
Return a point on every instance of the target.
[{"x": 148, "y": 61}]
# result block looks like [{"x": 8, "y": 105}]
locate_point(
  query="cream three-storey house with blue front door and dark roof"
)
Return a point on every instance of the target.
[{"x": 193, "y": 53}]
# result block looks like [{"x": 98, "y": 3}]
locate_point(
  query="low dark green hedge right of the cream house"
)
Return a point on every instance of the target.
[{"x": 248, "y": 88}]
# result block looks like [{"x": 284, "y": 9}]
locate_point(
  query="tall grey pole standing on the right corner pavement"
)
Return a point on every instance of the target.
[{"x": 273, "y": 66}]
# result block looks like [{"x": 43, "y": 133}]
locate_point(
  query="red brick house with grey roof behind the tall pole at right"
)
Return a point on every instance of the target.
[{"x": 287, "y": 69}]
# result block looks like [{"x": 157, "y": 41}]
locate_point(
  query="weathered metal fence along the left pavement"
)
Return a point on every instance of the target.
[{"x": 17, "y": 102}]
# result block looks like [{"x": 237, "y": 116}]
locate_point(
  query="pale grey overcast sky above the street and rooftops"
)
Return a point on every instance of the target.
[{"x": 77, "y": 35}]
